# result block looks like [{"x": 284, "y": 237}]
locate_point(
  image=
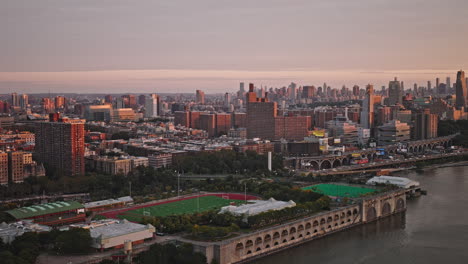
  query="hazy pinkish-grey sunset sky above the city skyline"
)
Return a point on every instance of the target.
[{"x": 105, "y": 46}]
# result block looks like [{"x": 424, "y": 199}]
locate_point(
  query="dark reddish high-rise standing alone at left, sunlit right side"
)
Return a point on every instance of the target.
[{"x": 60, "y": 144}]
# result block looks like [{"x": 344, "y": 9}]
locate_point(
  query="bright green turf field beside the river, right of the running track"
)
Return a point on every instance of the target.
[{"x": 339, "y": 190}]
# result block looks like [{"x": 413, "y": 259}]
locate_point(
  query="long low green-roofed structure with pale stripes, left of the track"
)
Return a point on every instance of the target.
[{"x": 44, "y": 209}]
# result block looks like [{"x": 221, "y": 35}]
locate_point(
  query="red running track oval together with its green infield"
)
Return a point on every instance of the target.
[{"x": 179, "y": 206}]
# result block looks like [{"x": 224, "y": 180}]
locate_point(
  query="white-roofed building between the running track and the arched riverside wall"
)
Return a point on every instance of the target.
[{"x": 255, "y": 207}]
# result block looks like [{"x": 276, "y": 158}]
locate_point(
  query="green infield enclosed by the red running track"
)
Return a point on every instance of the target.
[{"x": 189, "y": 206}]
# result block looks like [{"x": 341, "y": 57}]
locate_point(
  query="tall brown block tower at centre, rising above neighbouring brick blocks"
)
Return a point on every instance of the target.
[{"x": 260, "y": 116}]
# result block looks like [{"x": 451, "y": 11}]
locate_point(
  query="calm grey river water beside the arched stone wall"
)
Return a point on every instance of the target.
[{"x": 434, "y": 229}]
